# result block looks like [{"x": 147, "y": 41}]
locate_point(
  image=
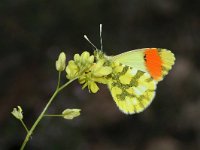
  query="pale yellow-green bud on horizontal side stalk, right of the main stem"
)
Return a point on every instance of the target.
[{"x": 71, "y": 113}]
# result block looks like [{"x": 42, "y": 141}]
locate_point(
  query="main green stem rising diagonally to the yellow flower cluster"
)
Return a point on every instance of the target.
[{"x": 43, "y": 112}]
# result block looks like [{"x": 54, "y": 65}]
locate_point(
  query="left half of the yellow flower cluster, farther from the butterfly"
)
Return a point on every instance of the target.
[{"x": 79, "y": 65}]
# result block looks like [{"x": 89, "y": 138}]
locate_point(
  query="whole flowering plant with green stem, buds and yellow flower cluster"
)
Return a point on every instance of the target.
[{"x": 85, "y": 69}]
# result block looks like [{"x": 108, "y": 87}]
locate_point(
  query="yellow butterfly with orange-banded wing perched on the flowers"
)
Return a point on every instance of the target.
[{"x": 135, "y": 75}]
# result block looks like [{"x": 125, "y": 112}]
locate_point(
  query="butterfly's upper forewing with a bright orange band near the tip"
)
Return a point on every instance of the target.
[{"x": 157, "y": 62}]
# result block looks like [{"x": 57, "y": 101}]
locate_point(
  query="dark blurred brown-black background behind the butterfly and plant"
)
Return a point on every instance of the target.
[{"x": 34, "y": 32}]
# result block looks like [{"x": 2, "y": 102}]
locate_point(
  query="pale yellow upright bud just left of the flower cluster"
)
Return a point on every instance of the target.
[{"x": 61, "y": 62}]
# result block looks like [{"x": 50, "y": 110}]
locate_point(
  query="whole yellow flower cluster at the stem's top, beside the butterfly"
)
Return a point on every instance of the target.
[{"x": 88, "y": 71}]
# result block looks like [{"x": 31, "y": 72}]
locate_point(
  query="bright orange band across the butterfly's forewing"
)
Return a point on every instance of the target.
[{"x": 153, "y": 63}]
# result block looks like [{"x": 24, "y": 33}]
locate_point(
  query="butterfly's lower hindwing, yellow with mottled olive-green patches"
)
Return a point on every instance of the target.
[{"x": 132, "y": 90}]
